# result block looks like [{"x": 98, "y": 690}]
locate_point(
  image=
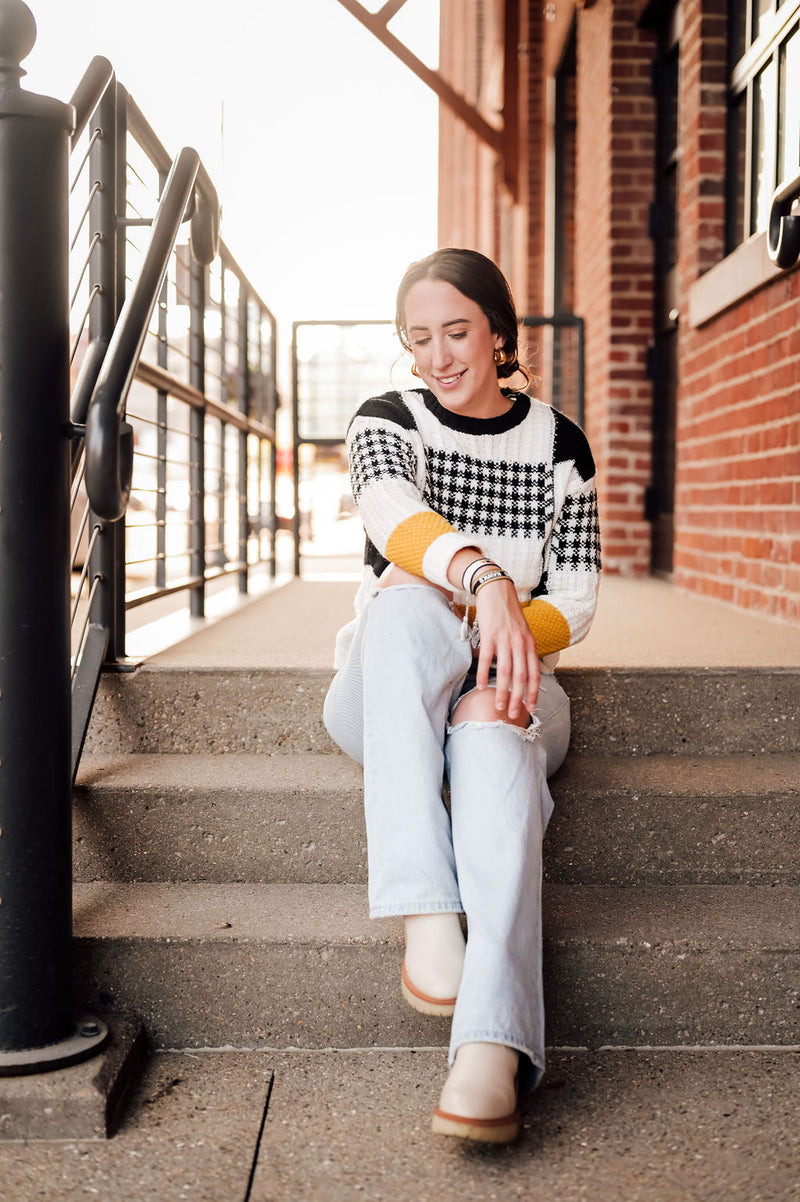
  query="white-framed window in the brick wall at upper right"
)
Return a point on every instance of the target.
[{"x": 763, "y": 110}]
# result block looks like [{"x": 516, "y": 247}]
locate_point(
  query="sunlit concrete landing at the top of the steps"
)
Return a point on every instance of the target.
[{"x": 644, "y": 623}]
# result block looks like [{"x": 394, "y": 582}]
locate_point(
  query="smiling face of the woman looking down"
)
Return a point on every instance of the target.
[{"x": 455, "y": 348}]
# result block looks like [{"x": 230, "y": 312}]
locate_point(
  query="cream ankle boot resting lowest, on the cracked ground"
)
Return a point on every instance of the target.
[{"x": 480, "y": 1097}]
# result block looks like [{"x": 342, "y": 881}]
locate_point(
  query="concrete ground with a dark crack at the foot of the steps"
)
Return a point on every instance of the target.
[{"x": 613, "y": 1126}]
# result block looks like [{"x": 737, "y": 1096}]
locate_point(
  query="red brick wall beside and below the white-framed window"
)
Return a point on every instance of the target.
[{"x": 738, "y": 481}]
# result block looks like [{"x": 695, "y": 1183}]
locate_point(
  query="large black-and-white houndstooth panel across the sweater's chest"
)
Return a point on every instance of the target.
[{"x": 491, "y": 498}]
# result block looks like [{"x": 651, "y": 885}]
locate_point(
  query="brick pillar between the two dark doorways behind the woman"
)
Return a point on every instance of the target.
[{"x": 616, "y": 266}]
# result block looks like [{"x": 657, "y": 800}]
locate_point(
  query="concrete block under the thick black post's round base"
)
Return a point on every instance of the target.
[{"x": 82, "y": 1102}]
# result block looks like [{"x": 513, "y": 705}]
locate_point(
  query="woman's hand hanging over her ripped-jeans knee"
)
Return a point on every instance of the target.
[{"x": 508, "y": 639}]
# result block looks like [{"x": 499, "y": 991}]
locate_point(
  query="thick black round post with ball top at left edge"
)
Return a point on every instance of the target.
[{"x": 37, "y": 1024}]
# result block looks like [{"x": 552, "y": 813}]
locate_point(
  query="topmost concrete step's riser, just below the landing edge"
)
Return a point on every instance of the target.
[{"x": 616, "y": 712}]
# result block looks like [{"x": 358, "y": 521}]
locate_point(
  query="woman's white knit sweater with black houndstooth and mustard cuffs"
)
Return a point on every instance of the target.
[{"x": 429, "y": 483}]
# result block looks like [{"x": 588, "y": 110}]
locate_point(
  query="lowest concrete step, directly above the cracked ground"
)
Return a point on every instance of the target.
[{"x": 302, "y": 966}]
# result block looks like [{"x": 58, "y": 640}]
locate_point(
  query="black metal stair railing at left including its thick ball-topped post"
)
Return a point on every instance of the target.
[{"x": 136, "y": 379}]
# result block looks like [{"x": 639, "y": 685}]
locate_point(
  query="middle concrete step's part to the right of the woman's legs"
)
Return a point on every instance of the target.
[{"x": 676, "y": 820}]
